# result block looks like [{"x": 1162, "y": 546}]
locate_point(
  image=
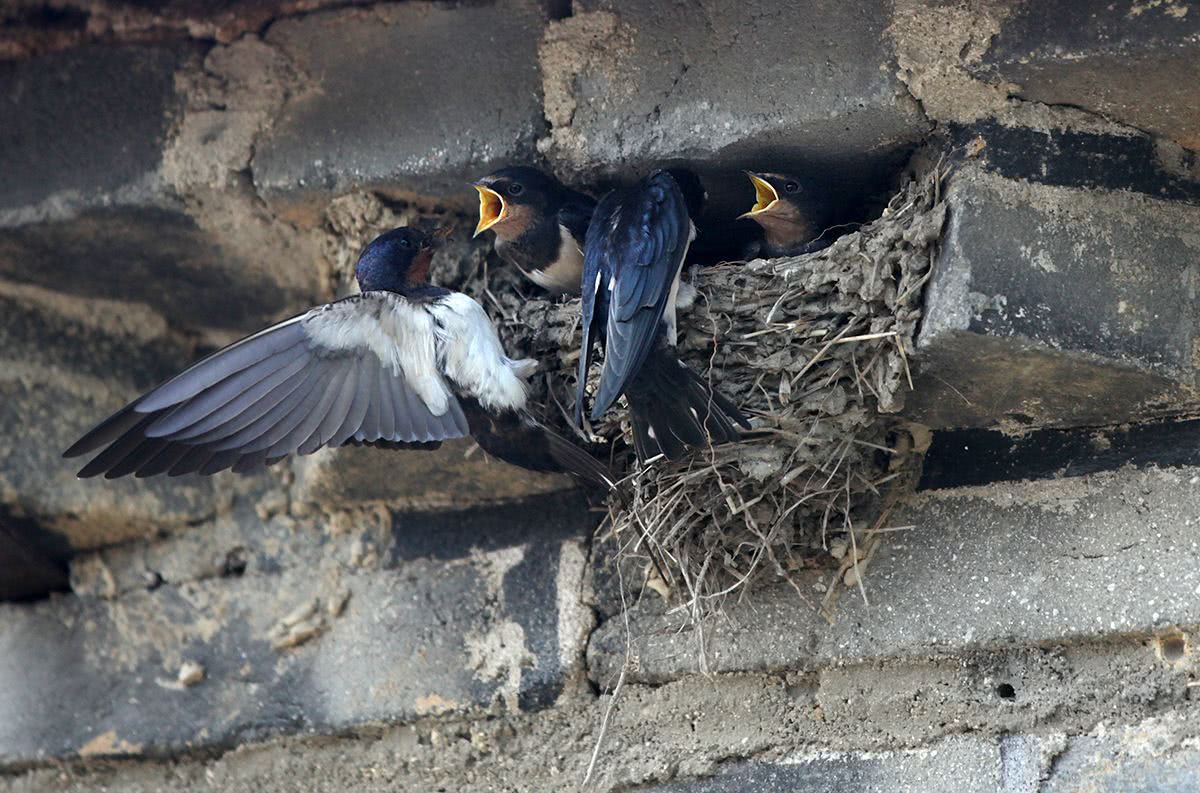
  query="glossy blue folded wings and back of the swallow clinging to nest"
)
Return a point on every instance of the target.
[{"x": 639, "y": 238}]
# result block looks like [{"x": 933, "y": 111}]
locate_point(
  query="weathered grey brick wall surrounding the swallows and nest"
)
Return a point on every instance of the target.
[{"x": 370, "y": 621}]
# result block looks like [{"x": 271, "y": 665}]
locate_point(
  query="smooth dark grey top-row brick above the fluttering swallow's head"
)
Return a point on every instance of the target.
[{"x": 407, "y": 99}]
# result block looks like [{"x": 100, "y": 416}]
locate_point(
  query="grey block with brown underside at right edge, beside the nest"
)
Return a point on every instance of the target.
[{"x": 1063, "y": 296}]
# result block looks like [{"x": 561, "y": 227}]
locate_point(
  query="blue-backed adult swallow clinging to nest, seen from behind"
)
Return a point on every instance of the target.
[{"x": 637, "y": 245}]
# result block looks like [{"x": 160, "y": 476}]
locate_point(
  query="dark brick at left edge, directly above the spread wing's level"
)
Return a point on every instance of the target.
[{"x": 87, "y": 211}]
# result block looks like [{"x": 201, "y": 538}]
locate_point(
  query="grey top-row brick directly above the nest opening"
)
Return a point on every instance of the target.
[{"x": 754, "y": 85}]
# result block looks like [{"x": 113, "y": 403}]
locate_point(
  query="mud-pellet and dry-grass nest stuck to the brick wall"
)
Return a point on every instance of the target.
[{"x": 813, "y": 347}]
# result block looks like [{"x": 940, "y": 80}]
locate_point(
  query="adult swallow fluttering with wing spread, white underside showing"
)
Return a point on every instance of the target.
[{"x": 403, "y": 364}]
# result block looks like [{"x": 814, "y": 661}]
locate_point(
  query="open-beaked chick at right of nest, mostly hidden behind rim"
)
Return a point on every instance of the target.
[{"x": 790, "y": 213}]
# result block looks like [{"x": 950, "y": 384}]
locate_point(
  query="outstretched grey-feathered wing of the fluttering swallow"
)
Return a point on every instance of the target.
[{"x": 364, "y": 369}]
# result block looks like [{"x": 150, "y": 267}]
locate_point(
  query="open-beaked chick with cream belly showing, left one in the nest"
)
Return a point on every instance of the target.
[{"x": 539, "y": 225}]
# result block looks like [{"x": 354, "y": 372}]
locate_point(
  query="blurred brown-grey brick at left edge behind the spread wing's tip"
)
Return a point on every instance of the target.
[{"x": 67, "y": 365}]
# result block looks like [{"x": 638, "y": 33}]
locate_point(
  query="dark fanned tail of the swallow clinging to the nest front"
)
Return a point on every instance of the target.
[{"x": 673, "y": 408}]
